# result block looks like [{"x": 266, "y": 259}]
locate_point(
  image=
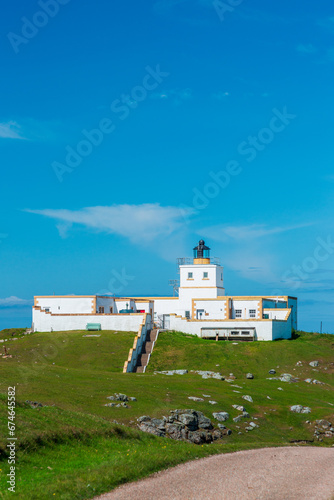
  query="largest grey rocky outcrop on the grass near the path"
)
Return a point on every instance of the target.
[{"x": 183, "y": 425}]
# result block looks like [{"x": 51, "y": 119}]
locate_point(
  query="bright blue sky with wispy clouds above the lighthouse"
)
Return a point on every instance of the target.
[{"x": 129, "y": 130}]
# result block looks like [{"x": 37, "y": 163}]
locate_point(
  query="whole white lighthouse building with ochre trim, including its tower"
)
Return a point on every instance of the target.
[{"x": 202, "y": 308}]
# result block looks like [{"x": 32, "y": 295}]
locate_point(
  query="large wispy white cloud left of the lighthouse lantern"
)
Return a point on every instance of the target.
[{"x": 140, "y": 223}]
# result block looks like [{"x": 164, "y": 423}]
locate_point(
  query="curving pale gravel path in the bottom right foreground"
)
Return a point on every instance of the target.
[{"x": 293, "y": 473}]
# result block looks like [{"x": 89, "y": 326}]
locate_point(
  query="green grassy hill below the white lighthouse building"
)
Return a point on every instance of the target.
[{"x": 73, "y": 449}]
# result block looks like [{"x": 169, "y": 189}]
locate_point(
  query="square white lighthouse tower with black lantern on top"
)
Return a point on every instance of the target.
[{"x": 200, "y": 280}]
